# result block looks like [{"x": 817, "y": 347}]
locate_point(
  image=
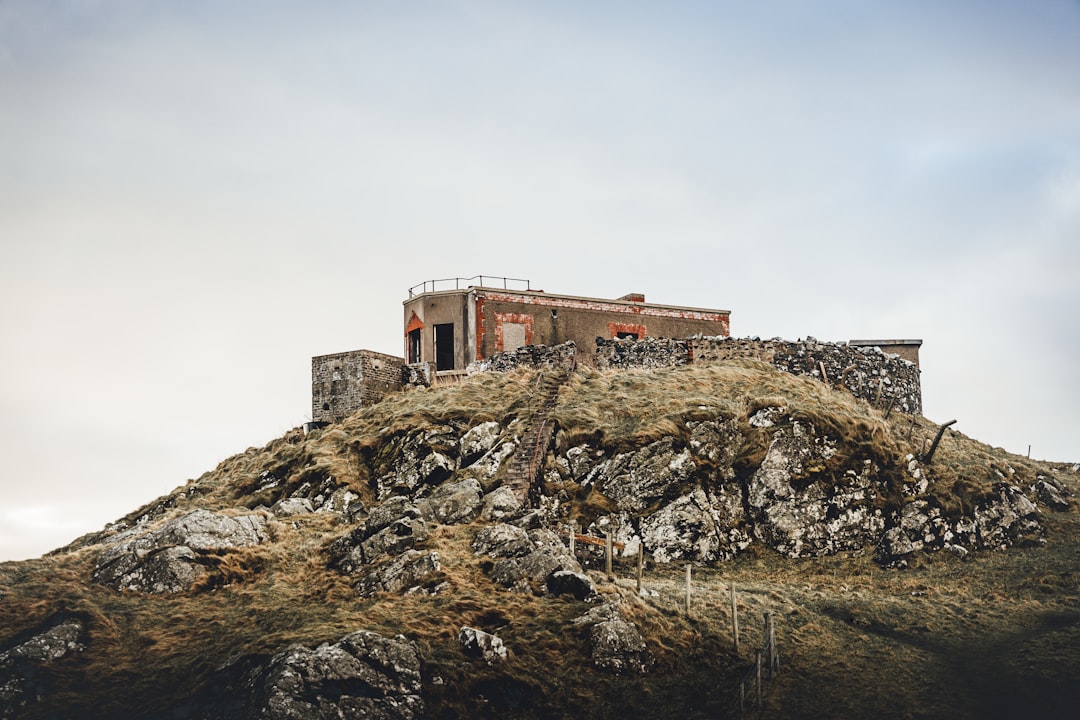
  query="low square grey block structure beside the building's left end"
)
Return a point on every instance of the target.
[{"x": 344, "y": 383}]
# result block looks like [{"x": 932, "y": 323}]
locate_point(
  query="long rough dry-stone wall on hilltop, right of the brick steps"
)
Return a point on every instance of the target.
[{"x": 867, "y": 373}]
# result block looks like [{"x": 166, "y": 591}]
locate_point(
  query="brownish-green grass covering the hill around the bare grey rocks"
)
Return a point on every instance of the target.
[{"x": 993, "y": 634}]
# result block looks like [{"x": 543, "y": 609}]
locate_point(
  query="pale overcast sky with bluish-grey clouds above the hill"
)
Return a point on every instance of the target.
[{"x": 197, "y": 197}]
